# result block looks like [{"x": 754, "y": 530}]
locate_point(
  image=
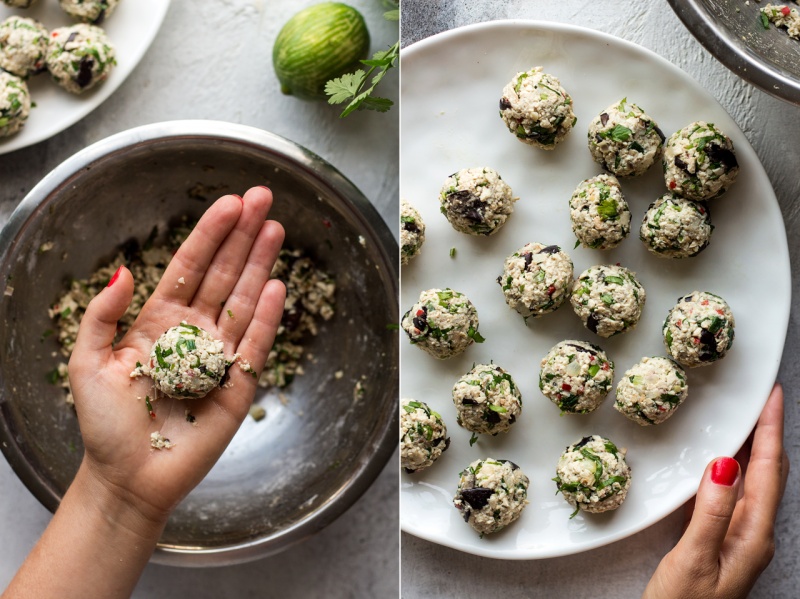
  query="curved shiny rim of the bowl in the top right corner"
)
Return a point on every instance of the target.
[{"x": 732, "y": 52}]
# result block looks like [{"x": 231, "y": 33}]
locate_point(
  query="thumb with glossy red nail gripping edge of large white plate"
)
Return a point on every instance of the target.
[{"x": 714, "y": 505}]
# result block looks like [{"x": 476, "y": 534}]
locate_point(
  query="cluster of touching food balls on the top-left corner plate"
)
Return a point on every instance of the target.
[{"x": 78, "y": 57}]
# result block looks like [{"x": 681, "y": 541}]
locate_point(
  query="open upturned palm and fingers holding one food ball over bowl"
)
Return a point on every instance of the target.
[{"x": 225, "y": 263}]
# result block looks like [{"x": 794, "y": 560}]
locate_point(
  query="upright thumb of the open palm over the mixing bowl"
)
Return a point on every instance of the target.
[{"x": 99, "y": 323}]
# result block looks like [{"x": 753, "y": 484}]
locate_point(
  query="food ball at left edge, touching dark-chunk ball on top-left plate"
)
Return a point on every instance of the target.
[{"x": 23, "y": 46}]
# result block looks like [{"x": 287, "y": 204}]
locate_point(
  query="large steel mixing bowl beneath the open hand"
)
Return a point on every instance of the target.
[{"x": 320, "y": 445}]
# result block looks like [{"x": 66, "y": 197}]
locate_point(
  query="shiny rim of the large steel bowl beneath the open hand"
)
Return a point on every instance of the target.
[{"x": 317, "y": 167}]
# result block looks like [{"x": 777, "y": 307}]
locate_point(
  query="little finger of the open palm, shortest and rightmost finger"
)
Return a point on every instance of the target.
[{"x": 260, "y": 333}]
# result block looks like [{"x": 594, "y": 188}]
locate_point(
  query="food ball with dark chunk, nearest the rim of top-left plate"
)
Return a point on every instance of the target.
[{"x": 80, "y": 57}]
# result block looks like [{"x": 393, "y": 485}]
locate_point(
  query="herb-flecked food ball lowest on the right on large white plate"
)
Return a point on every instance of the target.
[{"x": 593, "y": 476}]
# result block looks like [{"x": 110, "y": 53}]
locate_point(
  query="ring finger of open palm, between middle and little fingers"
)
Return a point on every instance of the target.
[{"x": 242, "y": 301}]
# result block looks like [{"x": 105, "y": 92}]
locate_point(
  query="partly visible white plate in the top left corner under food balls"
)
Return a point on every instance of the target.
[{"x": 131, "y": 28}]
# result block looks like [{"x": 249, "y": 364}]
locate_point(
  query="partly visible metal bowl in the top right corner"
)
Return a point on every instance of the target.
[{"x": 768, "y": 59}]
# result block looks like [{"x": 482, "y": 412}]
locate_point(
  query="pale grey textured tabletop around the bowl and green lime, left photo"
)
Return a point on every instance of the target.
[{"x": 212, "y": 60}]
